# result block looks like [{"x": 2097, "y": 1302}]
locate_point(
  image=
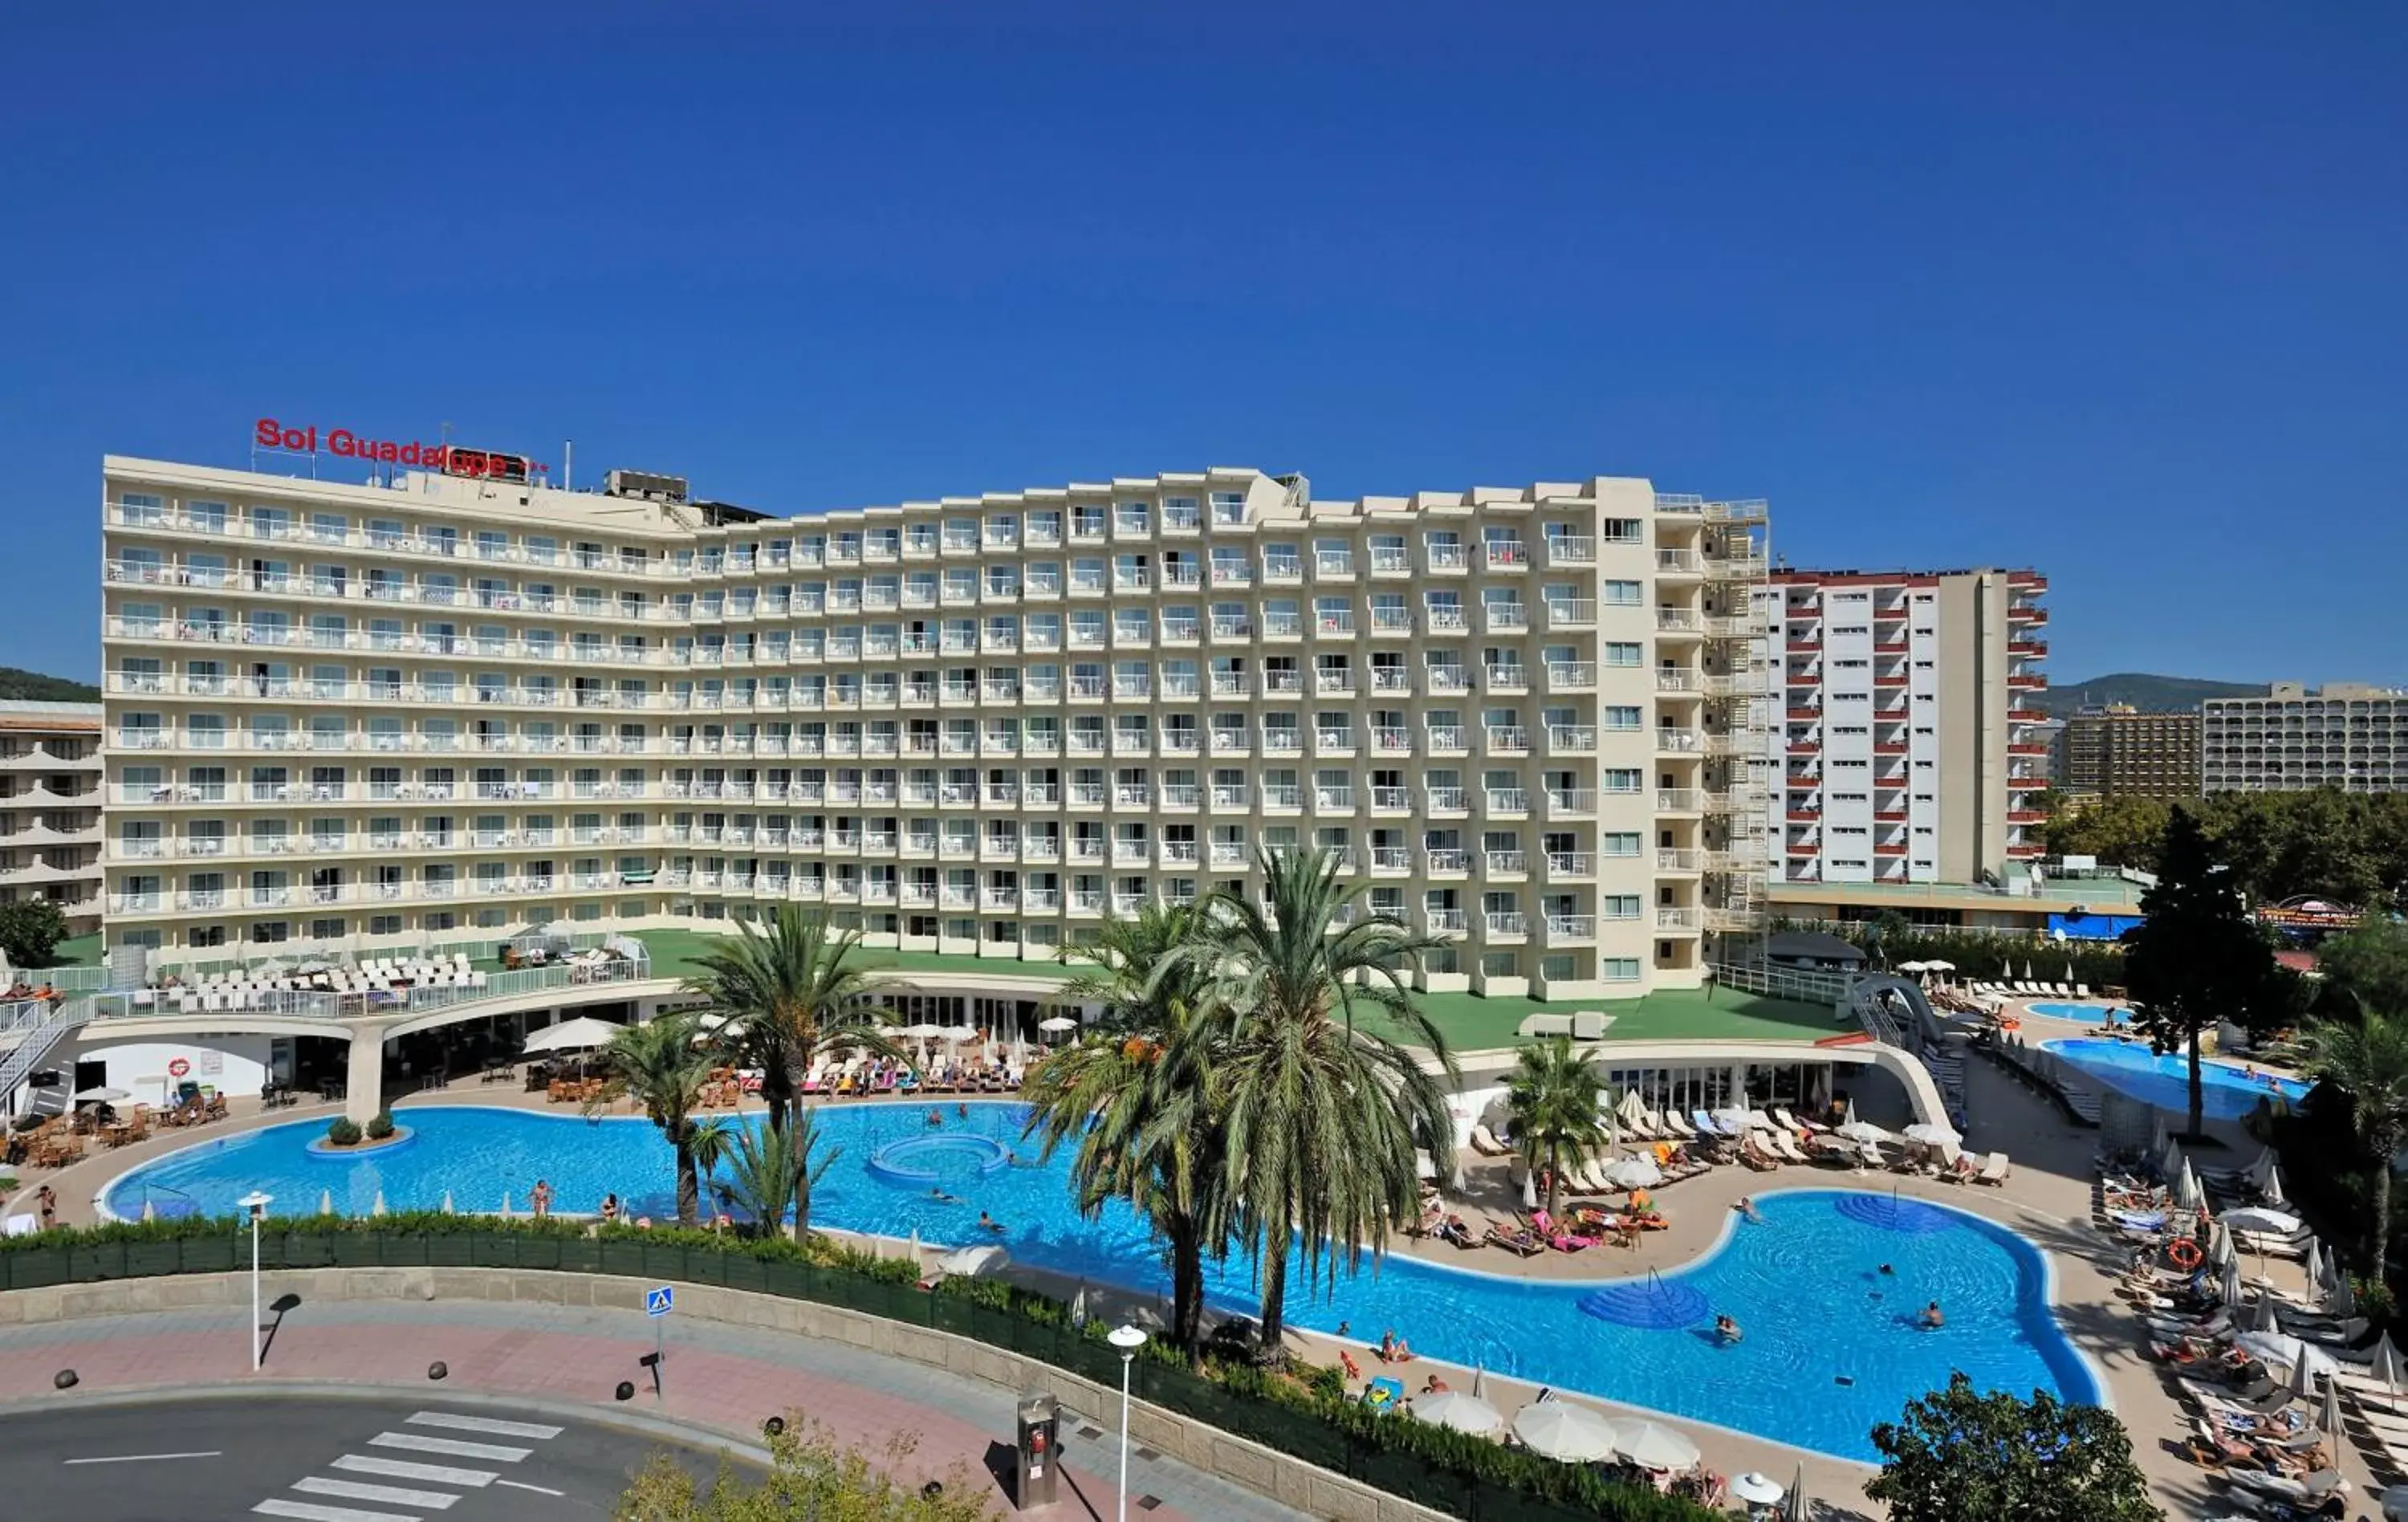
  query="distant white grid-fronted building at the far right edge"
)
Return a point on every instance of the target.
[{"x": 2342, "y": 736}]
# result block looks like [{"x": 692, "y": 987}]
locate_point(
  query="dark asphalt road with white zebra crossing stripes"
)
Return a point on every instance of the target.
[{"x": 331, "y": 1461}]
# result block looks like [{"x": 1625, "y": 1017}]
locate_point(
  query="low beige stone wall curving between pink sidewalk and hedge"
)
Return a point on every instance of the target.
[{"x": 1237, "y": 1461}]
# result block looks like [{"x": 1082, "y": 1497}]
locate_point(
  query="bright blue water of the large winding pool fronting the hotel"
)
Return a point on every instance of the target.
[{"x": 1829, "y": 1340}]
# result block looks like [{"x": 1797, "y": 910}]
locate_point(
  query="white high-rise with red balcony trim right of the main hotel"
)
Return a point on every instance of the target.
[{"x": 1908, "y": 738}]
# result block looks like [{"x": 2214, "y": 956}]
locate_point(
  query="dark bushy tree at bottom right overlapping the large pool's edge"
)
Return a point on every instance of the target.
[{"x": 1961, "y": 1456}]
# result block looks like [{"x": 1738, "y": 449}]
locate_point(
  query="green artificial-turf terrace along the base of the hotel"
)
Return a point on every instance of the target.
[{"x": 1470, "y": 1022}]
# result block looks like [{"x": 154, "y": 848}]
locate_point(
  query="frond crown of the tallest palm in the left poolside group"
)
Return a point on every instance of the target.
[{"x": 789, "y": 996}]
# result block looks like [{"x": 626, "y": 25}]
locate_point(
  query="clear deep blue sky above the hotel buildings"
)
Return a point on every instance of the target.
[{"x": 2113, "y": 290}]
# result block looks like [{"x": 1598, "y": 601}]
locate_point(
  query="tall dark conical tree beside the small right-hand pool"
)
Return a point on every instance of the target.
[{"x": 2200, "y": 957}]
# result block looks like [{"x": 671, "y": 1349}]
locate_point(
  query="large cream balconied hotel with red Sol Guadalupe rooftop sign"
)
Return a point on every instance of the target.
[{"x": 358, "y": 716}]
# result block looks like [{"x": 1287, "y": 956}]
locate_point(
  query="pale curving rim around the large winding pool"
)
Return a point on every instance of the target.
[{"x": 2065, "y": 1357}]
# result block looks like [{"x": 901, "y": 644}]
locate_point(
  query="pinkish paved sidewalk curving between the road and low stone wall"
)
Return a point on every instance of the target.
[{"x": 716, "y": 1379}]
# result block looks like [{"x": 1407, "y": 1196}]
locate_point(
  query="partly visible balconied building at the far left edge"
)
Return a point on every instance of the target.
[{"x": 52, "y": 808}]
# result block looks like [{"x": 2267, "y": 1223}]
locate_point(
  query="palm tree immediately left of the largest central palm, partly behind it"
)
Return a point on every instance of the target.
[{"x": 1143, "y": 1126}]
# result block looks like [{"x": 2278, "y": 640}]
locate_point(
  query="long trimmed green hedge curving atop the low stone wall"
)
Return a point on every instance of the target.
[{"x": 1436, "y": 1468}]
